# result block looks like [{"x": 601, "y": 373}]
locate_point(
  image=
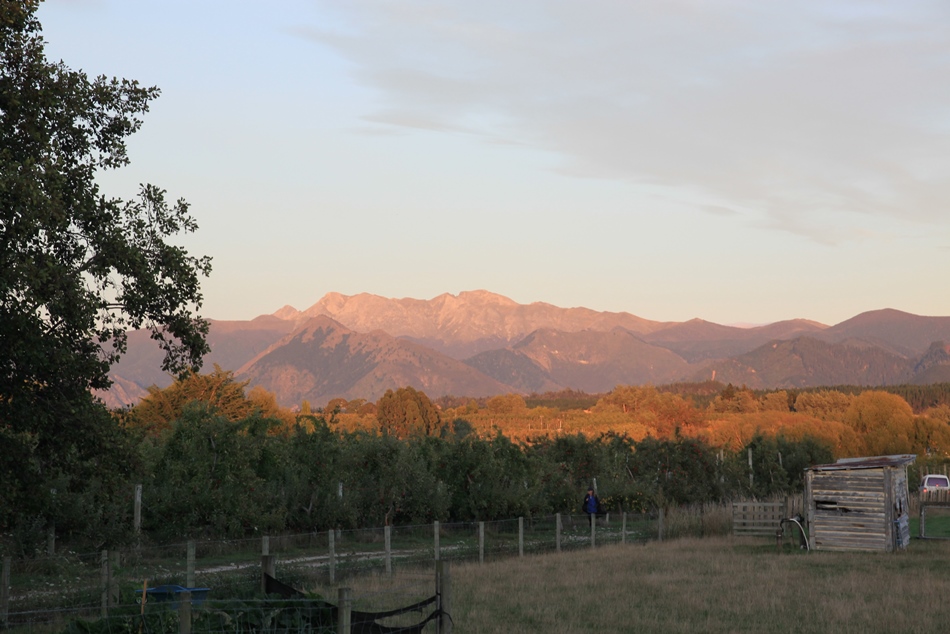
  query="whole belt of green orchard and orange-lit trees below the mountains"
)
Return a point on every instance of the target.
[{"x": 217, "y": 460}]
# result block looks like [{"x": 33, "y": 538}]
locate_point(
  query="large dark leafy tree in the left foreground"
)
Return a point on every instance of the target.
[{"x": 77, "y": 268}]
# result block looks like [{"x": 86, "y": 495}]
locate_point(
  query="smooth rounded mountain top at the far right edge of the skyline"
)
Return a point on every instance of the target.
[{"x": 908, "y": 334}]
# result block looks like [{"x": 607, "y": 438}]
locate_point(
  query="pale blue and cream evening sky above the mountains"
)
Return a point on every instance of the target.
[{"x": 737, "y": 161}]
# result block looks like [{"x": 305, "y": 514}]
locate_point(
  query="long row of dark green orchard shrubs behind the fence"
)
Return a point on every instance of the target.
[{"x": 211, "y": 477}]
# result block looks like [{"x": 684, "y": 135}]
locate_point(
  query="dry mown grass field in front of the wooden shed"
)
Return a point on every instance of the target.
[{"x": 705, "y": 585}]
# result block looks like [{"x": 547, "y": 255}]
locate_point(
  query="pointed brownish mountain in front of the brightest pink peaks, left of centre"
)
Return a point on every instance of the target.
[{"x": 323, "y": 360}]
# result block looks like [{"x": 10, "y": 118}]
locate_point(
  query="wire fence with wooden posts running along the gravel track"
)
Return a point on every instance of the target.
[{"x": 46, "y": 594}]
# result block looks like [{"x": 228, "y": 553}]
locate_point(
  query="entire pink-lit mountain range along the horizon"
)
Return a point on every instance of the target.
[{"x": 479, "y": 343}]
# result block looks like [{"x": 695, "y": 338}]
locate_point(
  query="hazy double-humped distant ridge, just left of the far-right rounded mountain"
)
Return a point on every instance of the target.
[{"x": 697, "y": 340}]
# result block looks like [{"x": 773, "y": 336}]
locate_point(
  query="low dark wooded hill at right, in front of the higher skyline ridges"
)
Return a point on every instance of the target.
[{"x": 809, "y": 362}]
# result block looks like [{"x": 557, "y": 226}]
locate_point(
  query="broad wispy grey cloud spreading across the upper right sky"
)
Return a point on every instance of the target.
[{"x": 796, "y": 112}]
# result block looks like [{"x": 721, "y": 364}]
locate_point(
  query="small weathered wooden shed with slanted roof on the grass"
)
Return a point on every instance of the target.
[{"x": 858, "y": 504}]
